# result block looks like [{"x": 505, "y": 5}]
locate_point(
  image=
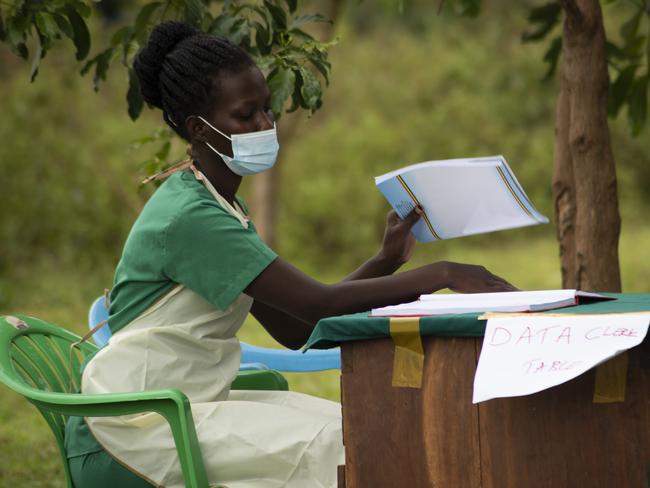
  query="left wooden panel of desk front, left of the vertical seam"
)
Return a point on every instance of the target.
[{"x": 407, "y": 437}]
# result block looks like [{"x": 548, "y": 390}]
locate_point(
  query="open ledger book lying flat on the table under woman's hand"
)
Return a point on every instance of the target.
[{"x": 512, "y": 301}]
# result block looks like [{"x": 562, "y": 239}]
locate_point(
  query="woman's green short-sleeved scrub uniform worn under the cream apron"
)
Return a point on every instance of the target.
[{"x": 182, "y": 236}]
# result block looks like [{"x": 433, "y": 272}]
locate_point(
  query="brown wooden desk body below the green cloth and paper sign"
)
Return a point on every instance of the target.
[{"x": 436, "y": 437}]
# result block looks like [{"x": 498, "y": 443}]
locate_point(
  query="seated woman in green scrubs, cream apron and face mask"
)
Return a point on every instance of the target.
[{"x": 191, "y": 270}]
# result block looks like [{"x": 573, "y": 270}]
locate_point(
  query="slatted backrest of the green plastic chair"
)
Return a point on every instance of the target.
[{"x": 35, "y": 355}]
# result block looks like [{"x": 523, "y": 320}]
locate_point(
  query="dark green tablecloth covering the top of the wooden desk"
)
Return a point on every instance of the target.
[{"x": 331, "y": 331}]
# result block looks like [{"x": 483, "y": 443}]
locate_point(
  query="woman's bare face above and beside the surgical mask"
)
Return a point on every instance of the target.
[{"x": 242, "y": 104}]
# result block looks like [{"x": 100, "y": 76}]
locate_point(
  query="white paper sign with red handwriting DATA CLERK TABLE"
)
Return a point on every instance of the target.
[{"x": 523, "y": 355}]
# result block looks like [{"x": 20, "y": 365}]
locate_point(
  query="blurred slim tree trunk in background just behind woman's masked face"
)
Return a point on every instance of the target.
[{"x": 266, "y": 186}]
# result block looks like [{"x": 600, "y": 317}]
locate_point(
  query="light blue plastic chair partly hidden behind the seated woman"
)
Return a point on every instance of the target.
[{"x": 252, "y": 357}]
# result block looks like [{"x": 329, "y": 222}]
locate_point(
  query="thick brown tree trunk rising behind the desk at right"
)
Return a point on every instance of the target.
[{"x": 584, "y": 180}]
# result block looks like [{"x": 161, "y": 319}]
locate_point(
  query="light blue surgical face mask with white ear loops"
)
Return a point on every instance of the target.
[{"x": 252, "y": 152}]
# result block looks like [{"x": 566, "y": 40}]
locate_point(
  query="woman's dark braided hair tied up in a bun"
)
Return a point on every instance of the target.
[{"x": 177, "y": 67}]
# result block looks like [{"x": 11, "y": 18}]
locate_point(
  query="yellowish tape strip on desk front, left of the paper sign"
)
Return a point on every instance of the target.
[{"x": 409, "y": 355}]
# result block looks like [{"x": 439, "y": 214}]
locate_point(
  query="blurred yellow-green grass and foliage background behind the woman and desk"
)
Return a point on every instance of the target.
[{"x": 406, "y": 87}]
